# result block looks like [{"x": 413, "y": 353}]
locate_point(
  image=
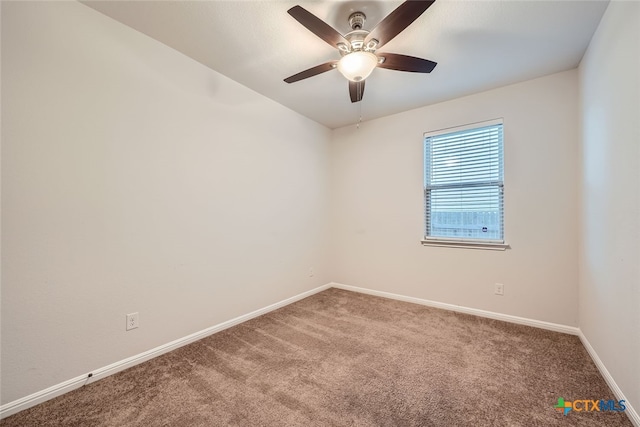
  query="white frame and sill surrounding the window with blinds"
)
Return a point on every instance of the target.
[{"x": 459, "y": 242}]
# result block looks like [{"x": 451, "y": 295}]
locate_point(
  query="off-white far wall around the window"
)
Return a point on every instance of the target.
[{"x": 377, "y": 205}]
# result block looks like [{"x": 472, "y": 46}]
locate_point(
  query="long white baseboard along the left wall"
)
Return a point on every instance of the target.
[{"x": 77, "y": 382}]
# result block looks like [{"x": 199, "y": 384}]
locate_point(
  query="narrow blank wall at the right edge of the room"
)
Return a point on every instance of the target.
[{"x": 609, "y": 303}]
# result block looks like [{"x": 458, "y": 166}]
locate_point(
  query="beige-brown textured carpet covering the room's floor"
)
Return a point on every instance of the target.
[{"x": 340, "y": 358}]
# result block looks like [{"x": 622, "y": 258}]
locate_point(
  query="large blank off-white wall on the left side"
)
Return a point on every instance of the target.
[{"x": 135, "y": 179}]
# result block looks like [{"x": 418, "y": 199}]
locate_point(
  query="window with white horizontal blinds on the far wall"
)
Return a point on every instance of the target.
[{"x": 464, "y": 186}]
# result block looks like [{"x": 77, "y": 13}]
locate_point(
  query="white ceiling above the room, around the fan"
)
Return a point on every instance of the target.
[{"x": 478, "y": 45}]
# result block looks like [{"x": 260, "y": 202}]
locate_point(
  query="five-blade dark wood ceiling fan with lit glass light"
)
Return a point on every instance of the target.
[{"x": 358, "y": 47}]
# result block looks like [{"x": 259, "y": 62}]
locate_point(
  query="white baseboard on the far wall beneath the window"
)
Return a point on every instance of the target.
[{"x": 461, "y": 309}]
